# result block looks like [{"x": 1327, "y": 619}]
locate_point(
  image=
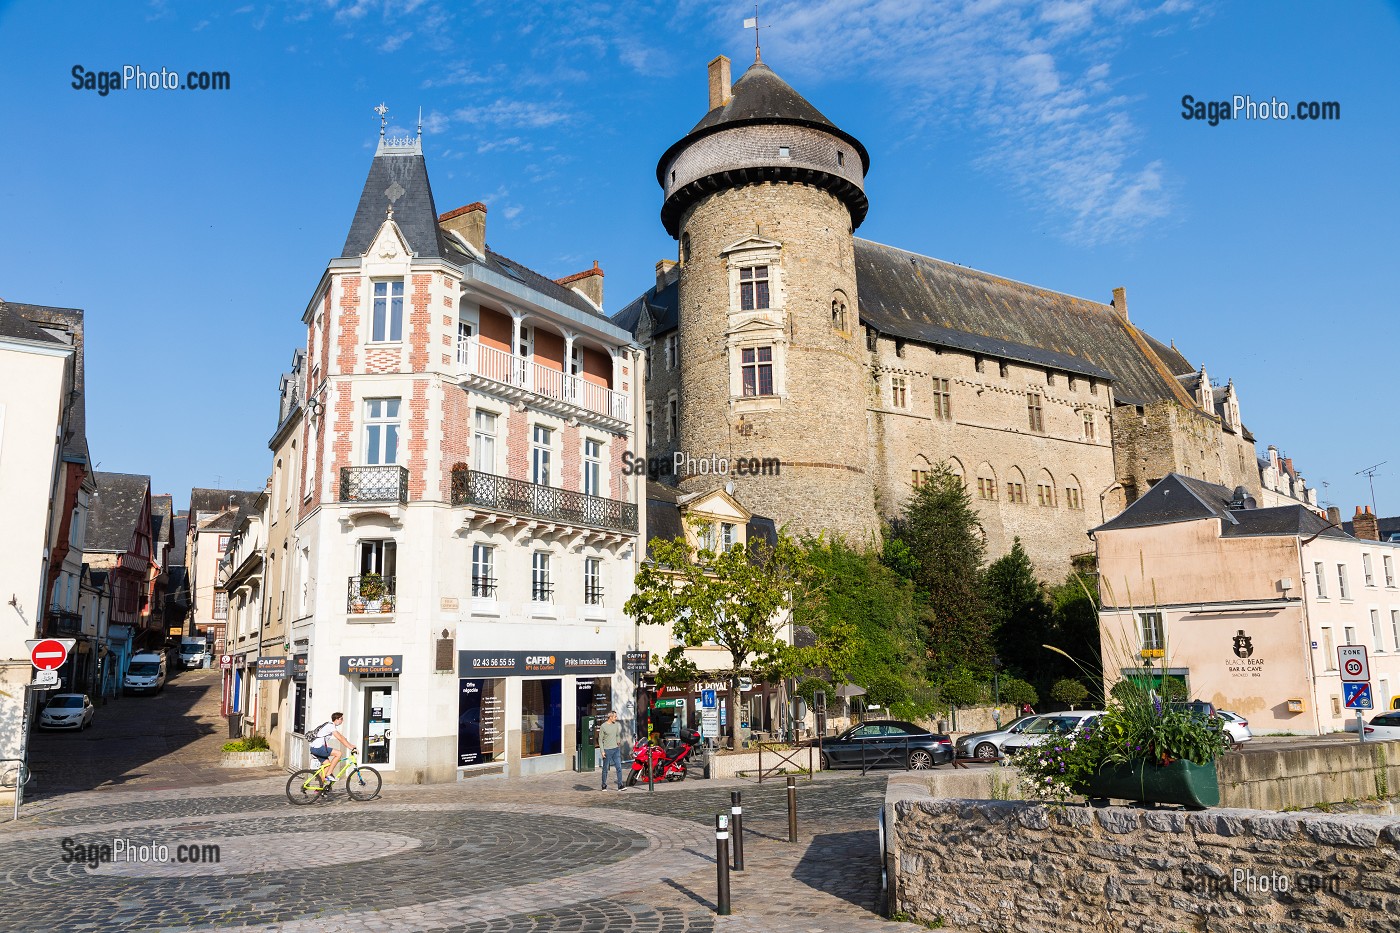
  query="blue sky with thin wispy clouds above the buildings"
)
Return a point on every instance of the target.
[{"x": 1041, "y": 142}]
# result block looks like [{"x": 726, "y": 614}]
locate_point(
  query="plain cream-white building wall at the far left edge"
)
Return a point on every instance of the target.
[{"x": 36, "y": 378}]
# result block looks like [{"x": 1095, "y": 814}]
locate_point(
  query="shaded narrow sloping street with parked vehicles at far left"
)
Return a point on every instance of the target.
[{"x": 167, "y": 740}]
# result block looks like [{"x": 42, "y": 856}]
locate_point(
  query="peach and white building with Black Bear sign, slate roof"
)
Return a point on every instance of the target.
[{"x": 1248, "y": 606}]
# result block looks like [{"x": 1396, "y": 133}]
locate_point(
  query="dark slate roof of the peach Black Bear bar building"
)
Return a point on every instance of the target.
[{"x": 1177, "y": 498}]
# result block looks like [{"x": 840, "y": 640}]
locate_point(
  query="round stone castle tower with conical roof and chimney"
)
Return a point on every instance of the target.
[{"x": 765, "y": 195}]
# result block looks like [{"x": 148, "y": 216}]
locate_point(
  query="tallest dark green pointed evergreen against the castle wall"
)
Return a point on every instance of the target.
[{"x": 939, "y": 544}]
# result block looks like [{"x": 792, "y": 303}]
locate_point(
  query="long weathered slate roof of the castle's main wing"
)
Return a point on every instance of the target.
[{"x": 906, "y": 295}]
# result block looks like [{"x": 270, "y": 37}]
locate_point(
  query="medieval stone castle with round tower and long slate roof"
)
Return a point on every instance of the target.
[{"x": 779, "y": 334}]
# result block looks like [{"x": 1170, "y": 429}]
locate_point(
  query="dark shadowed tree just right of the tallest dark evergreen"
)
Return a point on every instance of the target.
[{"x": 1021, "y": 616}]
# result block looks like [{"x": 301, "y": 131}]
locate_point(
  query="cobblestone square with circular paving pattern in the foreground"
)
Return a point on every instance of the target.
[{"x": 484, "y": 857}]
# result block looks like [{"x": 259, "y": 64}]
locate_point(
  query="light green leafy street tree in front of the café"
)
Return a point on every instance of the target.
[{"x": 737, "y": 600}]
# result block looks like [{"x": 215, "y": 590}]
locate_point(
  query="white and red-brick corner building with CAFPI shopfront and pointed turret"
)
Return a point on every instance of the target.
[{"x": 465, "y": 534}]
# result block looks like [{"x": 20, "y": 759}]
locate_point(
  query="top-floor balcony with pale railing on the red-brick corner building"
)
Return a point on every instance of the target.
[{"x": 495, "y": 369}]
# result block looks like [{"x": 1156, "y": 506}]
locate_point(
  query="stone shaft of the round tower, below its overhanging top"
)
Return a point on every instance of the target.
[{"x": 817, "y": 424}]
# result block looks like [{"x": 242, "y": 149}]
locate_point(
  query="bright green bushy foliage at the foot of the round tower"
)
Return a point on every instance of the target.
[{"x": 871, "y": 607}]
